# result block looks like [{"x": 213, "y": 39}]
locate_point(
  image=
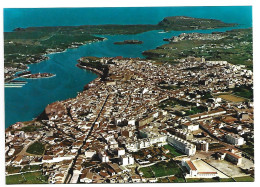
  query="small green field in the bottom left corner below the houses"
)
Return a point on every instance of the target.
[{"x": 29, "y": 178}]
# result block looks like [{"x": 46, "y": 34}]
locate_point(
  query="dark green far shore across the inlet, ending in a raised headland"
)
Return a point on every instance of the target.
[{"x": 30, "y": 45}]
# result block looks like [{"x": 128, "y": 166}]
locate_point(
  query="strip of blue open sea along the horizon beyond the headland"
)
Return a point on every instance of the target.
[{"x": 28, "y": 17}]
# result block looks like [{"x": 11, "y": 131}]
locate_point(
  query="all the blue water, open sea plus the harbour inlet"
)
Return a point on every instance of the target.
[{"x": 23, "y": 104}]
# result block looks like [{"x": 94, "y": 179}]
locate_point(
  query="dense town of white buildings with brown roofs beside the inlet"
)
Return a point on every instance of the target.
[{"x": 114, "y": 125}]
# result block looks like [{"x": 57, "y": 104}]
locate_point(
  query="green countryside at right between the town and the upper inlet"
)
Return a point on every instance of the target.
[{"x": 235, "y": 48}]
